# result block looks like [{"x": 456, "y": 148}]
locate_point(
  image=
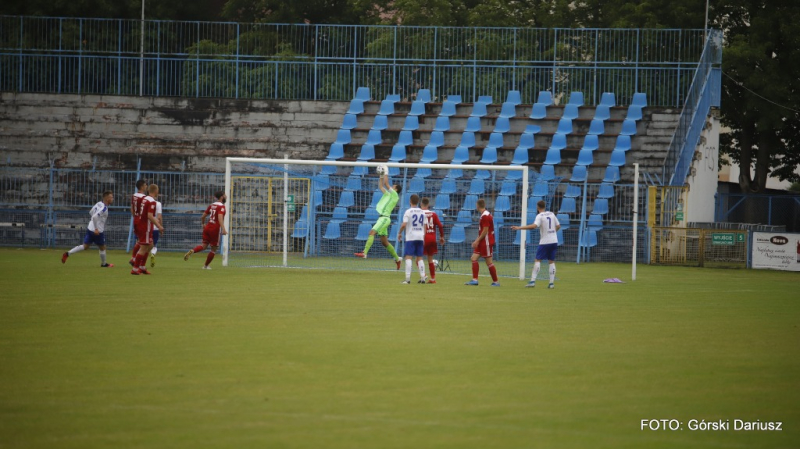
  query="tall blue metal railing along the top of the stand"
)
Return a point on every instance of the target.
[{"x": 329, "y": 62}]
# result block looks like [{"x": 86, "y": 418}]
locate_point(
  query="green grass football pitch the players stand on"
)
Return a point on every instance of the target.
[{"x": 277, "y": 358}]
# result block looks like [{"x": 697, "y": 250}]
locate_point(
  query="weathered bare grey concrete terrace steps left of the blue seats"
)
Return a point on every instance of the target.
[{"x": 109, "y": 132}]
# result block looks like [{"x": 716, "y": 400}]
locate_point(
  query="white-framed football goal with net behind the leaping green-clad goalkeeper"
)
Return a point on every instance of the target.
[{"x": 317, "y": 214}]
